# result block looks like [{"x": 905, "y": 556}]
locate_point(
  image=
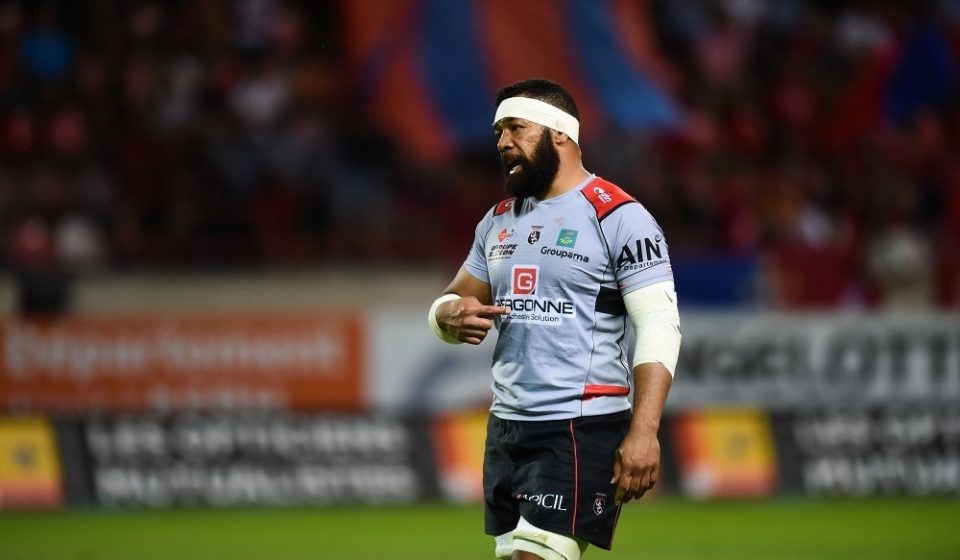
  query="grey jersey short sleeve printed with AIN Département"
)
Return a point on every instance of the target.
[{"x": 637, "y": 248}]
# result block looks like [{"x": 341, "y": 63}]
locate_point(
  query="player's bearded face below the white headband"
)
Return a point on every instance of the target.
[{"x": 530, "y": 161}]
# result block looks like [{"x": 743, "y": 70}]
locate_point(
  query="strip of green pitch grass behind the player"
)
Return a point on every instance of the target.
[{"x": 657, "y": 529}]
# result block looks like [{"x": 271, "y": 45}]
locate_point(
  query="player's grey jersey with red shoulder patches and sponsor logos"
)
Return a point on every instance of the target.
[{"x": 561, "y": 266}]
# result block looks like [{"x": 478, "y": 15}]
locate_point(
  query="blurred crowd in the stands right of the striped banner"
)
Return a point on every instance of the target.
[{"x": 823, "y": 139}]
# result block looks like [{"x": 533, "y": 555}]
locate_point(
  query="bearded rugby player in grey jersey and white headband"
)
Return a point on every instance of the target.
[{"x": 559, "y": 268}]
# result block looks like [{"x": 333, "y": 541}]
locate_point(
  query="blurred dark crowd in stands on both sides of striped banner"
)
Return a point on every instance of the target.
[{"x": 820, "y": 140}]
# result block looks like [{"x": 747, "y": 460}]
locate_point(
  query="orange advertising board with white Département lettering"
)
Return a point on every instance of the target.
[{"x": 172, "y": 362}]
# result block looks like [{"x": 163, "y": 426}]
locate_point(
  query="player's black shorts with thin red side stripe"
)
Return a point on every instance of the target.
[{"x": 555, "y": 473}]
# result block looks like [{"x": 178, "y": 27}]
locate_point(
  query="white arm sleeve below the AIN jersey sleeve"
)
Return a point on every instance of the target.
[{"x": 656, "y": 320}]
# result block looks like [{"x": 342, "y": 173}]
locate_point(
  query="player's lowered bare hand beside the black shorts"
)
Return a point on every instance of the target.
[{"x": 636, "y": 465}]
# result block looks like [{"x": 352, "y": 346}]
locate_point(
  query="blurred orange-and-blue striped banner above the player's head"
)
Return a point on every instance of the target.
[{"x": 427, "y": 71}]
